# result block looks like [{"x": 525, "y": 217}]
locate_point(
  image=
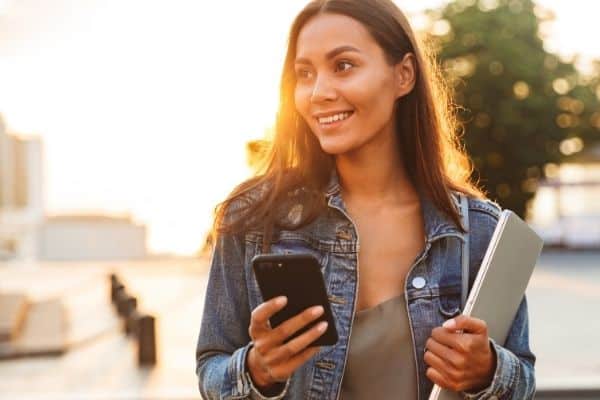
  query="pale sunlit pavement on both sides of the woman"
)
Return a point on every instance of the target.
[{"x": 563, "y": 297}]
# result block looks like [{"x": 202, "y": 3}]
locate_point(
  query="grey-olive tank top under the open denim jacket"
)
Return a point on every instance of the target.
[{"x": 381, "y": 361}]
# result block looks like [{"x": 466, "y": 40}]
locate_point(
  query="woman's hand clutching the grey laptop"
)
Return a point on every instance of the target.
[{"x": 460, "y": 361}]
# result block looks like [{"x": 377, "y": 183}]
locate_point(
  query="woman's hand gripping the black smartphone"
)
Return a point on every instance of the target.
[{"x": 270, "y": 360}]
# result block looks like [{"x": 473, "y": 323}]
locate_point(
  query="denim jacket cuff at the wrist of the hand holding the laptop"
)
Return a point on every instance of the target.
[{"x": 507, "y": 370}]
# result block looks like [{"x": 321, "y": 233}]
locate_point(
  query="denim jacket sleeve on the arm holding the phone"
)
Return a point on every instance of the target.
[{"x": 223, "y": 342}]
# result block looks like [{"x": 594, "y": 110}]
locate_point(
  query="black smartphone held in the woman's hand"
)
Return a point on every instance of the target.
[{"x": 299, "y": 278}]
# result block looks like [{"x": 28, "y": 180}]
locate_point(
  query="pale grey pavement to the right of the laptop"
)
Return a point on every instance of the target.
[{"x": 564, "y": 303}]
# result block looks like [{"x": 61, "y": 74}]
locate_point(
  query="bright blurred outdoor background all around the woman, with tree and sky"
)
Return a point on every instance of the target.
[{"x": 123, "y": 123}]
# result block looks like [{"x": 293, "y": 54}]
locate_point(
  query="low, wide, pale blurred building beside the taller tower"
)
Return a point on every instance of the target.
[{"x": 91, "y": 237}]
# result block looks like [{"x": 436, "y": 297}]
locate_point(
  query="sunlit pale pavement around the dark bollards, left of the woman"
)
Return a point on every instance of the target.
[{"x": 106, "y": 367}]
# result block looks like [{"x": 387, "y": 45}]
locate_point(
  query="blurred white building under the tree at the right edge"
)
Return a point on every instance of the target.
[{"x": 566, "y": 208}]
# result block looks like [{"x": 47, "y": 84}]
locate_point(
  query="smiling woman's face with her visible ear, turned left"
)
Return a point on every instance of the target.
[{"x": 345, "y": 88}]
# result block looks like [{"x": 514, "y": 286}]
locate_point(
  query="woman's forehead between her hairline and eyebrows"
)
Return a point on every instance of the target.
[{"x": 327, "y": 31}]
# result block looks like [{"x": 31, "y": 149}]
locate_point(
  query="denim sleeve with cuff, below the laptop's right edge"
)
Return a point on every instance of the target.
[{"x": 514, "y": 377}]
